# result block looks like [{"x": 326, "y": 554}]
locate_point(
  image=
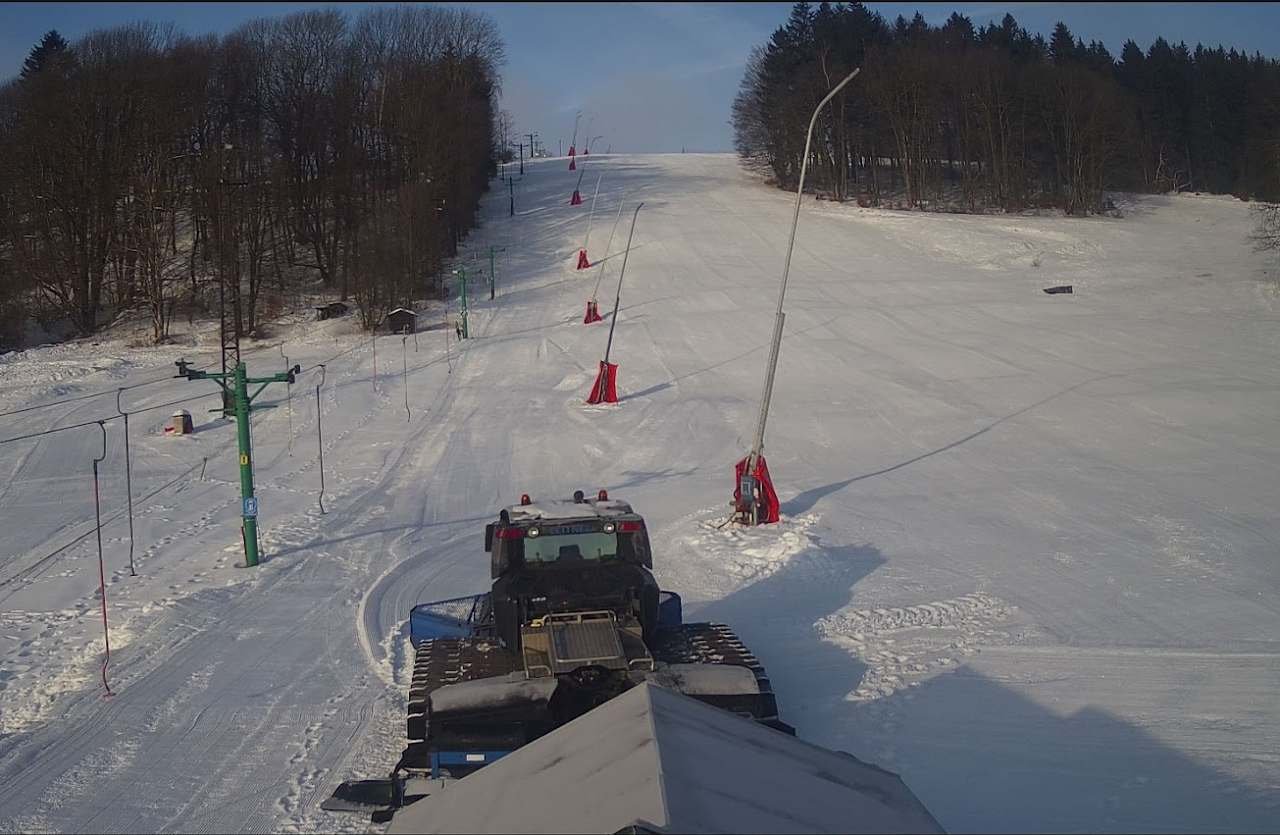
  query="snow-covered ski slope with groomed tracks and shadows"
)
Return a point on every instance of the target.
[{"x": 1028, "y": 556}]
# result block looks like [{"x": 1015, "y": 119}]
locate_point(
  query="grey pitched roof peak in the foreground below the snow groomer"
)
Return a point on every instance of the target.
[{"x": 655, "y": 755}]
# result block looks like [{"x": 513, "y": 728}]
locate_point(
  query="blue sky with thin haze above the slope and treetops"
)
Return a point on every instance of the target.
[{"x": 657, "y": 77}]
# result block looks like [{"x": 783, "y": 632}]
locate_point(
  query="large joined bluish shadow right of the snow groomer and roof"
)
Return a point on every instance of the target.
[{"x": 980, "y": 755}]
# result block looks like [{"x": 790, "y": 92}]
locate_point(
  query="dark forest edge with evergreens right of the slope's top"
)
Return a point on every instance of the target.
[{"x": 998, "y": 117}]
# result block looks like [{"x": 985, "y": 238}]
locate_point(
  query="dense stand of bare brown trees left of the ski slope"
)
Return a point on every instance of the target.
[{"x": 148, "y": 168}]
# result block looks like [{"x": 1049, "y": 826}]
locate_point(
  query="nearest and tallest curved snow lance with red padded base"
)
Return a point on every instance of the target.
[{"x": 755, "y": 499}]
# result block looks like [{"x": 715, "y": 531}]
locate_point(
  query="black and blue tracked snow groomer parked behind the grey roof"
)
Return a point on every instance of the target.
[{"x": 574, "y": 618}]
